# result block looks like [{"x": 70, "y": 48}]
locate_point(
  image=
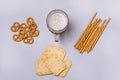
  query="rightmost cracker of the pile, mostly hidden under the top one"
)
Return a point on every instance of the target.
[{"x": 68, "y": 64}]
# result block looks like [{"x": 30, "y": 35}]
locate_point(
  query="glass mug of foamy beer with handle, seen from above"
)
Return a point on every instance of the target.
[{"x": 57, "y": 22}]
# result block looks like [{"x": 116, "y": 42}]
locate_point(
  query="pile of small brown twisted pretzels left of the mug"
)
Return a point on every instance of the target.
[{"x": 25, "y": 31}]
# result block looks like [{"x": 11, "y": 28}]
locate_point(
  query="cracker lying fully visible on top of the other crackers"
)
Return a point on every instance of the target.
[{"x": 55, "y": 64}]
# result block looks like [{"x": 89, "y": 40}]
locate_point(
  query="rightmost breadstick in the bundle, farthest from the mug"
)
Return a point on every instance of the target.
[{"x": 103, "y": 26}]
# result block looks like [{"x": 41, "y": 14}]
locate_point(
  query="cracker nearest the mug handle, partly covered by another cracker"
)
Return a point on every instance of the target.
[{"x": 52, "y": 49}]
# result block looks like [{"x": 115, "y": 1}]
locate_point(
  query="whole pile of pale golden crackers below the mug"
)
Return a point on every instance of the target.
[{"x": 53, "y": 61}]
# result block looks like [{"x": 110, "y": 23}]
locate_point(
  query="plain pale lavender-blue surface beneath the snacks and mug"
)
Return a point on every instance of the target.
[{"x": 17, "y": 59}]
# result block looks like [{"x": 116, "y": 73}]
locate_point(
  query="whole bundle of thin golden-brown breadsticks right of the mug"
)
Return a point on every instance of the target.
[{"x": 91, "y": 34}]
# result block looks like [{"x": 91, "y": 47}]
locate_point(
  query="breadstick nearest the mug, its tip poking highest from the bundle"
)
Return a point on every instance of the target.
[{"x": 88, "y": 26}]
